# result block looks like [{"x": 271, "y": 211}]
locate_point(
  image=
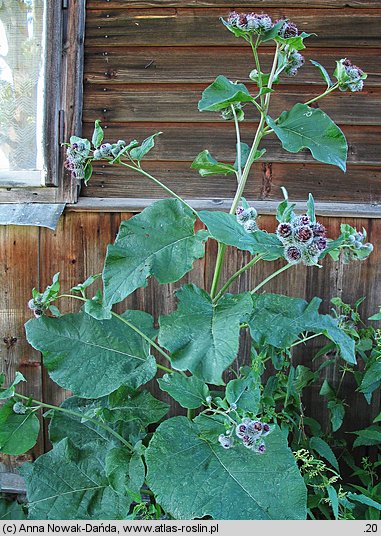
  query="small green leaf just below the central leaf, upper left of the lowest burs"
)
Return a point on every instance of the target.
[{"x": 188, "y": 391}]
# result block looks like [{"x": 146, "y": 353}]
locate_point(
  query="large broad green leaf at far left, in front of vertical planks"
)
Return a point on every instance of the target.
[{"x": 92, "y": 357}]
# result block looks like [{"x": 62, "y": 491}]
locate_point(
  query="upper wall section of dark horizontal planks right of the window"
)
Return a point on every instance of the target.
[{"x": 147, "y": 63}]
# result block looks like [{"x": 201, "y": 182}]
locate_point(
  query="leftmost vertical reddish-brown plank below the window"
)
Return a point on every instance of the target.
[{"x": 19, "y": 274}]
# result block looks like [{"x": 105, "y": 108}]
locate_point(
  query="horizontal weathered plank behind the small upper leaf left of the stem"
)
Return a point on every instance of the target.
[{"x": 178, "y": 103}]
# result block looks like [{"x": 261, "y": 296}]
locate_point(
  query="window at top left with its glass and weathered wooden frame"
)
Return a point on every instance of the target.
[{"x": 41, "y": 51}]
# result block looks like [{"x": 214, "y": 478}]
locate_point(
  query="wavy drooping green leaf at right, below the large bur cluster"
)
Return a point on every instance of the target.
[{"x": 279, "y": 320}]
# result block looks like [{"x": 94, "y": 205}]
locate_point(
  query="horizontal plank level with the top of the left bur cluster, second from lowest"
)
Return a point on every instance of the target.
[{"x": 186, "y": 141}]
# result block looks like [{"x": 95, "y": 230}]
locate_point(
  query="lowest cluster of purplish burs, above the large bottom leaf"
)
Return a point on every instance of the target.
[{"x": 251, "y": 434}]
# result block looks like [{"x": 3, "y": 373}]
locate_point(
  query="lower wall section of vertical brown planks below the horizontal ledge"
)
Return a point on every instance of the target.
[{"x": 30, "y": 256}]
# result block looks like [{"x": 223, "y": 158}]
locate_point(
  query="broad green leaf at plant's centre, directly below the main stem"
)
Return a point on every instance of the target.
[{"x": 203, "y": 337}]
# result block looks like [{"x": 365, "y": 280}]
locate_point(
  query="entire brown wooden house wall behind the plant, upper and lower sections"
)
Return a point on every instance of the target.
[{"x": 146, "y": 64}]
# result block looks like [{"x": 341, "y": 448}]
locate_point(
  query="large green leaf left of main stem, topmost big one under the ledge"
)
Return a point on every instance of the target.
[{"x": 160, "y": 241}]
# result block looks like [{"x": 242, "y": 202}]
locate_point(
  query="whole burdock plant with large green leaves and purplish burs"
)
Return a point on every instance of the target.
[{"x": 240, "y": 418}]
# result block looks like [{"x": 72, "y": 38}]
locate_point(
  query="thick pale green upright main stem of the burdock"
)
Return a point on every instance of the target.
[{"x": 245, "y": 173}]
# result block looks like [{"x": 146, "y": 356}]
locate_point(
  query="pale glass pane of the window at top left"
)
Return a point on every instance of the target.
[{"x": 21, "y": 91}]
